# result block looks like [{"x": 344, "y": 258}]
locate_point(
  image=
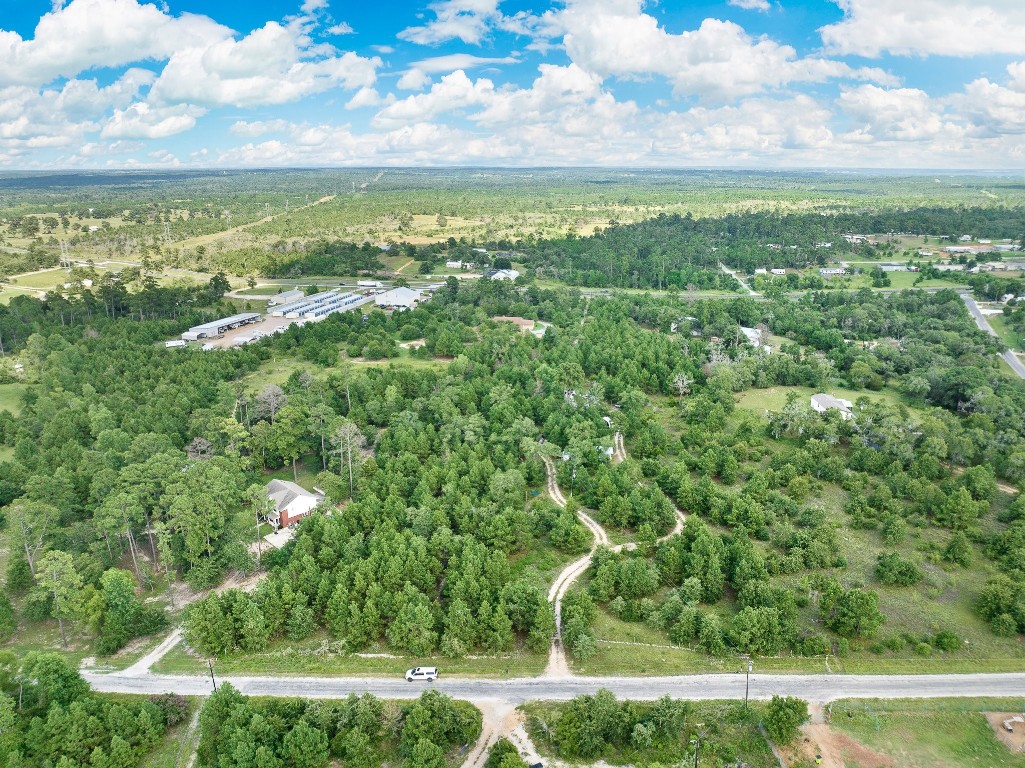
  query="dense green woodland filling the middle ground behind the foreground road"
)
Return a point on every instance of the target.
[{"x": 130, "y": 466}]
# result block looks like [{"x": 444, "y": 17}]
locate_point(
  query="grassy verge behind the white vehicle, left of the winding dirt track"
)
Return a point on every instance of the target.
[{"x": 319, "y": 656}]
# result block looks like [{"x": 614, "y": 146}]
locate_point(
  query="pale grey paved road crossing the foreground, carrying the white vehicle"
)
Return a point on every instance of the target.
[{"x": 816, "y": 689}]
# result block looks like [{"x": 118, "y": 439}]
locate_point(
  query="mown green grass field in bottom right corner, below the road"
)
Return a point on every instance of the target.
[{"x": 938, "y": 733}]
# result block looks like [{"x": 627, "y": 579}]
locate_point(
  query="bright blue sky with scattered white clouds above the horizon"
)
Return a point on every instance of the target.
[{"x": 819, "y": 84}]
